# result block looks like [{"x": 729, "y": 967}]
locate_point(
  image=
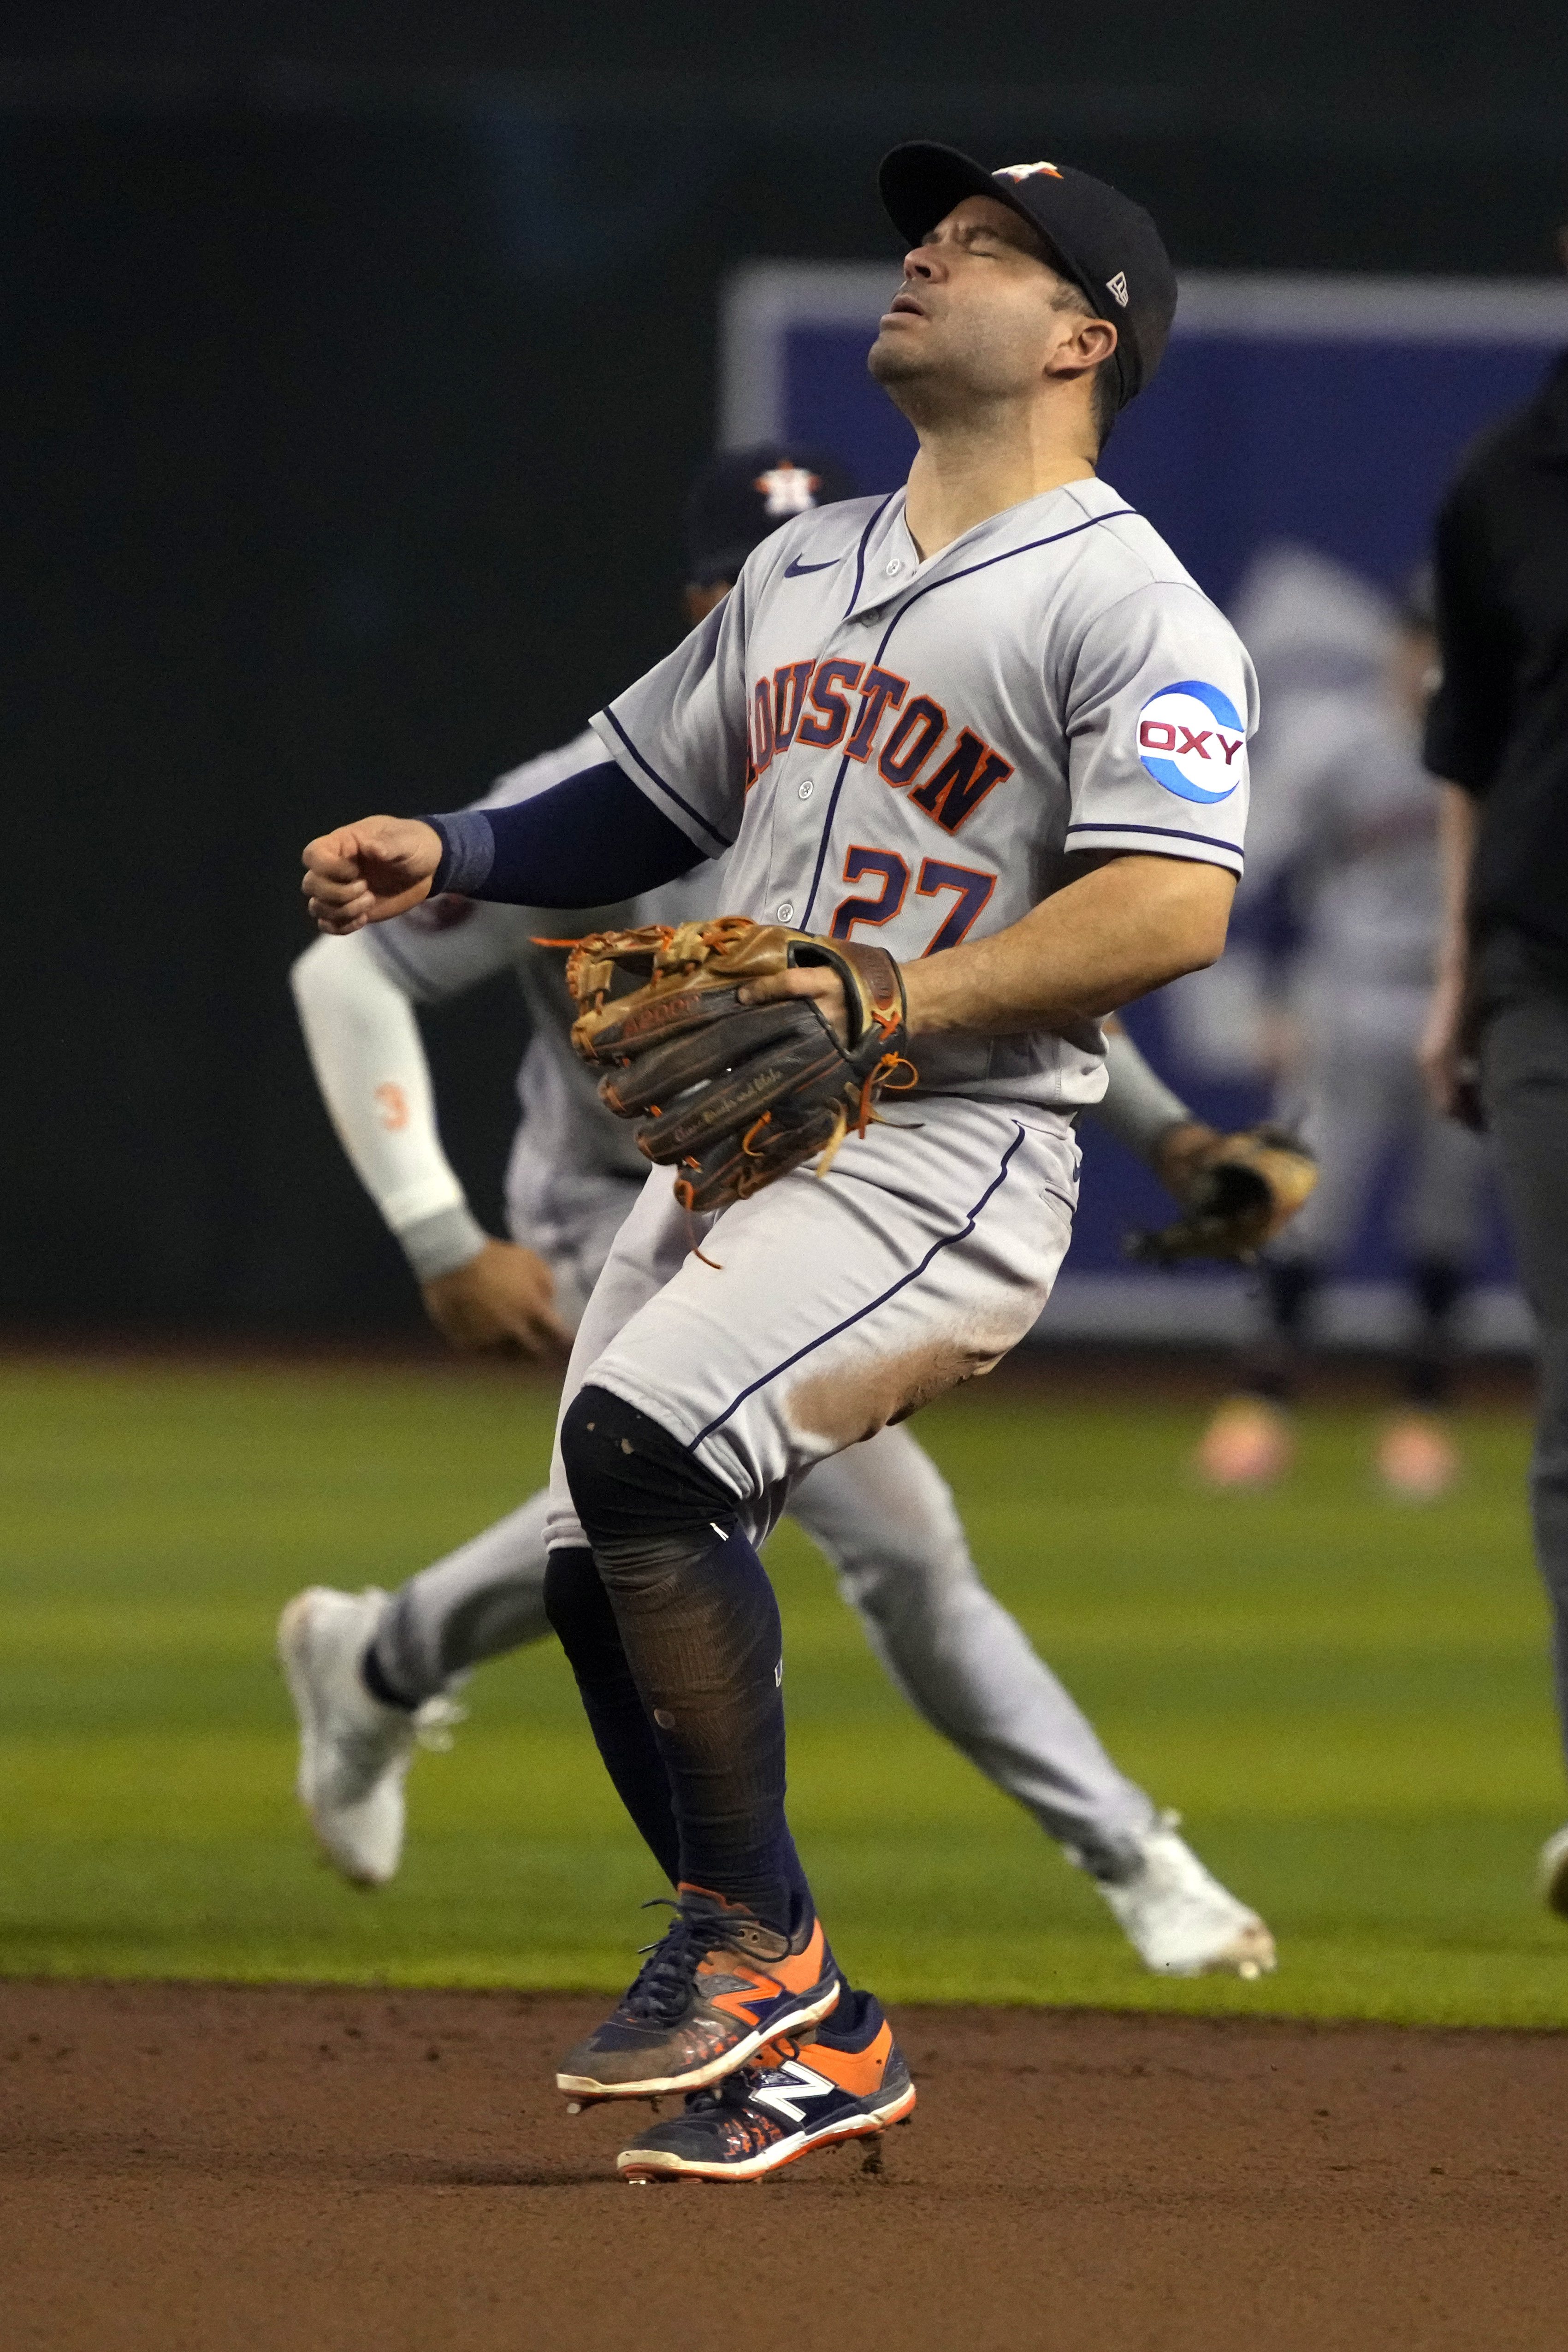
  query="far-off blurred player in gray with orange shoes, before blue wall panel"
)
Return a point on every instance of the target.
[{"x": 1348, "y": 829}]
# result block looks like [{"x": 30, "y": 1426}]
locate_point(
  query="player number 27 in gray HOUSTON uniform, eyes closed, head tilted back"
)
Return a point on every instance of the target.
[{"x": 979, "y": 756}]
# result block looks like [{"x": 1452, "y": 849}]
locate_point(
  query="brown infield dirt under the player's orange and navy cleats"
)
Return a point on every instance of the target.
[{"x": 201, "y": 2170}]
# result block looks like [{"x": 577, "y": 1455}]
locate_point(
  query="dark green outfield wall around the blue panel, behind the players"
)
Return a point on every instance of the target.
[{"x": 349, "y": 406}]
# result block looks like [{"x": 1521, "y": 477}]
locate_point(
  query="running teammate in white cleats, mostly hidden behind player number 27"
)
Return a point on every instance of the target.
[{"x": 370, "y": 1676}]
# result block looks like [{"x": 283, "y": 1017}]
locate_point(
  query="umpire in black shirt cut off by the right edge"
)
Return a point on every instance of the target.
[{"x": 1496, "y": 1048}]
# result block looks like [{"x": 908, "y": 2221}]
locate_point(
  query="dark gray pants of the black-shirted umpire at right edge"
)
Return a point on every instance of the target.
[{"x": 1525, "y": 1085}]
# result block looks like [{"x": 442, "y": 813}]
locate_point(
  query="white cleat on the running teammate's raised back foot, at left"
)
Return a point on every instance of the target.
[{"x": 354, "y": 1751}]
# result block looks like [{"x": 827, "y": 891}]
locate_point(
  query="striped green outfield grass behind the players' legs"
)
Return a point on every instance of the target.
[{"x": 1346, "y": 1699}]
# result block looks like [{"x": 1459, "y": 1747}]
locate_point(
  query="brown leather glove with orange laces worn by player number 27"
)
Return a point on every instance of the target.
[{"x": 735, "y": 1095}]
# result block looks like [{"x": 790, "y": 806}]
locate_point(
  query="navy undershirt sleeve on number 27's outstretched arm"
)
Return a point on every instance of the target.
[{"x": 584, "y": 843}]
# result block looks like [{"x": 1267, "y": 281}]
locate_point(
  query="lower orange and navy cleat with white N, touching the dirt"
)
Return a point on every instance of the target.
[{"x": 845, "y": 2083}]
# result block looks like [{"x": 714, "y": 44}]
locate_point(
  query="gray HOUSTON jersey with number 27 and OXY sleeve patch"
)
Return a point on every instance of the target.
[{"x": 913, "y": 749}]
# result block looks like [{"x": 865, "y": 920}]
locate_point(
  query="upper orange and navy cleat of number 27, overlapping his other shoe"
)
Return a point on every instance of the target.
[{"x": 716, "y": 1989}]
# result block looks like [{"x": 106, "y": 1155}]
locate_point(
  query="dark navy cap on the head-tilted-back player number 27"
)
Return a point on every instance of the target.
[{"x": 1104, "y": 243}]
